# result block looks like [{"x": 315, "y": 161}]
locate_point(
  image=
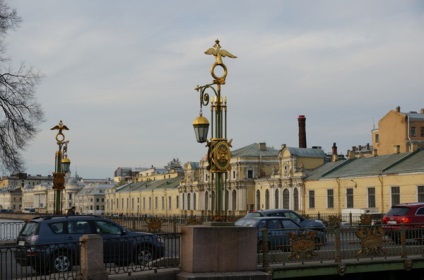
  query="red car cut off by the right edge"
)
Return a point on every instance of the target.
[{"x": 410, "y": 215}]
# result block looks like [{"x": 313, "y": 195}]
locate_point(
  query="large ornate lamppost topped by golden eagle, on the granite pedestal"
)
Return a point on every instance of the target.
[{"x": 219, "y": 153}]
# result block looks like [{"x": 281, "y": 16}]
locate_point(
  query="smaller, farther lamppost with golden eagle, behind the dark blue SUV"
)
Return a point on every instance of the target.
[{"x": 62, "y": 165}]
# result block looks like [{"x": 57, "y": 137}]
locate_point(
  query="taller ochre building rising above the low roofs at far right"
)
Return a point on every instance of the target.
[{"x": 400, "y": 132}]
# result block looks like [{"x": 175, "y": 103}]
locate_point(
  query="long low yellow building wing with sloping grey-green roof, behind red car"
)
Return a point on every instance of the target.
[{"x": 372, "y": 183}]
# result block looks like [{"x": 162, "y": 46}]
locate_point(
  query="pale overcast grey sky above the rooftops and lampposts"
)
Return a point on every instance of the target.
[{"x": 121, "y": 74}]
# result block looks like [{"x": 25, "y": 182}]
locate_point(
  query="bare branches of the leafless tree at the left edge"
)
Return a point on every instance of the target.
[{"x": 20, "y": 114}]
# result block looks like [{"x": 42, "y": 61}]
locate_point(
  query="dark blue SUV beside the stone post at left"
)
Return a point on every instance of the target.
[{"x": 51, "y": 243}]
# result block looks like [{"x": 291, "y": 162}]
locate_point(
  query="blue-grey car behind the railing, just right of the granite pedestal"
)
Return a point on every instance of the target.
[{"x": 279, "y": 230}]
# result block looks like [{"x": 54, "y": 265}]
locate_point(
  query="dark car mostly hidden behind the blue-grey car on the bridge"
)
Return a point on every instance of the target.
[{"x": 306, "y": 223}]
